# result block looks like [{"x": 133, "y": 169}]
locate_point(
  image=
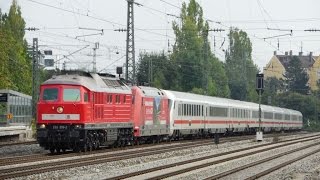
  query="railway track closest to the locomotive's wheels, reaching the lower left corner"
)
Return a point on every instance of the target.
[{"x": 61, "y": 163}]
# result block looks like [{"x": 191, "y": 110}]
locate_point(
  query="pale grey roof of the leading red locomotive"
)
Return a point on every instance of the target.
[{"x": 92, "y": 81}]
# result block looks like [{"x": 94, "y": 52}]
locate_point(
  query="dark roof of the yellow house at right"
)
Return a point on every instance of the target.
[{"x": 306, "y": 60}]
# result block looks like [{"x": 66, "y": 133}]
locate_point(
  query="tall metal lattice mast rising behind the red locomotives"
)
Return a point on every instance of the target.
[{"x": 130, "y": 53}]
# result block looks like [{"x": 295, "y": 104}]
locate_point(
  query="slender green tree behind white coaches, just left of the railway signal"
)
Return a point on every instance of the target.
[{"x": 241, "y": 70}]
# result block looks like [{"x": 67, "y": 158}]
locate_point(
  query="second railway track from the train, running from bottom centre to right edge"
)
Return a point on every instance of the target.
[{"x": 201, "y": 162}]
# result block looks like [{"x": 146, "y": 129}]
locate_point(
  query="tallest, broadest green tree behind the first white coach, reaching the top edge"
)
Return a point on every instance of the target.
[{"x": 198, "y": 69}]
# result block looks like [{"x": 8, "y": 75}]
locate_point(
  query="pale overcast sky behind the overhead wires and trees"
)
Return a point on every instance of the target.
[{"x": 59, "y": 22}]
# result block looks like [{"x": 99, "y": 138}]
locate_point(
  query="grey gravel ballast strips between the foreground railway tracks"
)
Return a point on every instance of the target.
[{"x": 111, "y": 169}]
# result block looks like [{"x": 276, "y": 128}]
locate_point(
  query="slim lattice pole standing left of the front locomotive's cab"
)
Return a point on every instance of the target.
[{"x": 35, "y": 77}]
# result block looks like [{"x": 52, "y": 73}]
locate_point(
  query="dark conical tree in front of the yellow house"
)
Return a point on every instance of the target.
[{"x": 296, "y": 77}]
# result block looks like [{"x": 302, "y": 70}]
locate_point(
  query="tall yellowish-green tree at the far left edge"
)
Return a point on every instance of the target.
[{"x": 15, "y": 63}]
